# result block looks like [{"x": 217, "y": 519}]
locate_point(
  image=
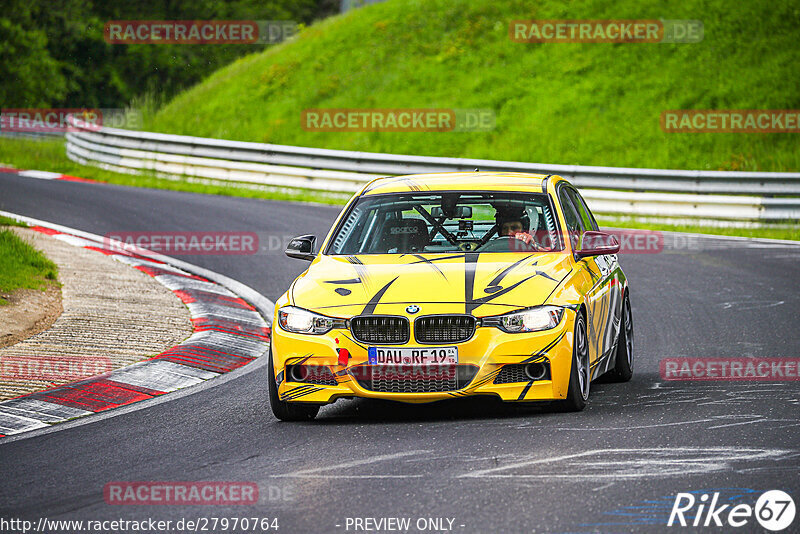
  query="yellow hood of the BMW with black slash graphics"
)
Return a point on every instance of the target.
[{"x": 479, "y": 284}]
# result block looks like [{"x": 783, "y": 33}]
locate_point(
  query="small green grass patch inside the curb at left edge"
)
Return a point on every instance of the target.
[{"x": 21, "y": 265}]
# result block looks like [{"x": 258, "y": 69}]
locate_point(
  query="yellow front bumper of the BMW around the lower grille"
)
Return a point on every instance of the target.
[{"x": 488, "y": 351}]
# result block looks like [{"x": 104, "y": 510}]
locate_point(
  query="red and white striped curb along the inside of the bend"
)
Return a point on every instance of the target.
[{"x": 228, "y": 333}]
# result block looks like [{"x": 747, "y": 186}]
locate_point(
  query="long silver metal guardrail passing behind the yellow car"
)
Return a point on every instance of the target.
[{"x": 709, "y": 195}]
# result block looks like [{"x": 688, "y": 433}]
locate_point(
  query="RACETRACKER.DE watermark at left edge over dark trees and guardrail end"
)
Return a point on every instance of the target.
[{"x": 54, "y": 120}]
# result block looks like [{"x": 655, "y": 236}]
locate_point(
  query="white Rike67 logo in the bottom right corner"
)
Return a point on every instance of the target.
[{"x": 774, "y": 510}]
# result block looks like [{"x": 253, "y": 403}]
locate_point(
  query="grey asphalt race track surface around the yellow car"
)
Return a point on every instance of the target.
[{"x": 614, "y": 467}]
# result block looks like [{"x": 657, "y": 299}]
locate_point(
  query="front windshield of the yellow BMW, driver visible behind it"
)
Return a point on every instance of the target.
[{"x": 447, "y": 222}]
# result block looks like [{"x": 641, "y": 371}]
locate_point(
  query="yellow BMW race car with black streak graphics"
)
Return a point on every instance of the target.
[{"x": 435, "y": 286}]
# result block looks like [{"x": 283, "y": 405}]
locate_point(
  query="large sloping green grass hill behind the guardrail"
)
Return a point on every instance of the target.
[{"x": 574, "y": 103}]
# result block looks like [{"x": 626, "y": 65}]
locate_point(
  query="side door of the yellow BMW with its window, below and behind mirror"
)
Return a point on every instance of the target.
[{"x": 602, "y": 299}]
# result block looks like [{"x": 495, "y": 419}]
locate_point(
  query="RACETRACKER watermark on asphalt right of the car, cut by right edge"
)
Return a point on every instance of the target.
[{"x": 733, "y": 368}]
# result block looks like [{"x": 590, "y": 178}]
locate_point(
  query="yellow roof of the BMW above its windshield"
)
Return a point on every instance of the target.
[{"x": 458, "y": 181}]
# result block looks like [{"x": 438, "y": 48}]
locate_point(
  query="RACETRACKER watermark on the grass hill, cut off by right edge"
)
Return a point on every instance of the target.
[{"x": 731, "y": 120}]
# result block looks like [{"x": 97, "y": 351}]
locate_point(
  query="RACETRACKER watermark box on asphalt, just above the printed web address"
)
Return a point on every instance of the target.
[{"x": 181, "y": 493}]
